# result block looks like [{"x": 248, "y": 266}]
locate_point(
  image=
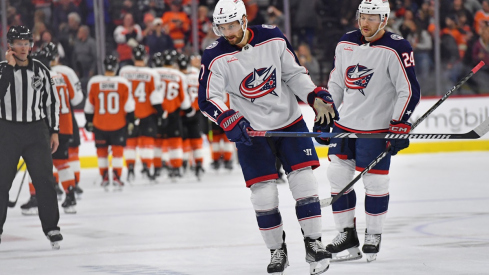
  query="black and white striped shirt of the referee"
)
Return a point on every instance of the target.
[{"x": 27, "y": 94}]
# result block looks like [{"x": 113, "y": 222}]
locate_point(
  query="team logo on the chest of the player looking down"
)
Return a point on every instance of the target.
[{"x": 259, "y": 83}]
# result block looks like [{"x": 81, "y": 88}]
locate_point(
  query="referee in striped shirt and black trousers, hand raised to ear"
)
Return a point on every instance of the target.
[{"x": 29, "y": 123}]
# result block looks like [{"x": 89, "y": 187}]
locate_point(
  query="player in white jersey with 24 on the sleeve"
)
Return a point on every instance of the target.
[{"x": 375, "y": 80}]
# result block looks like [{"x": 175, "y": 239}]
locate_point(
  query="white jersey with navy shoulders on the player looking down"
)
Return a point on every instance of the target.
[{"x": 262, "y": 79}]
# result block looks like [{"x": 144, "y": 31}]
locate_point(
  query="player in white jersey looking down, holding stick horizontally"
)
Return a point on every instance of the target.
[{"x": 257, "y": 67}]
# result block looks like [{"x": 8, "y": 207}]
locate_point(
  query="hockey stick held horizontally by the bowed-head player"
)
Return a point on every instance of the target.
[{"x": 475, "y": 133}]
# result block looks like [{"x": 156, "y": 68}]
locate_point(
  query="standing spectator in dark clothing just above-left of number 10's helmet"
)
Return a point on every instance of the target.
[{"x": 84, "y": 56}]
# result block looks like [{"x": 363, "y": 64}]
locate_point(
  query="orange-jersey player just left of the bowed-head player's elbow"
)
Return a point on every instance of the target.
[{"x": 192, "y": 123}]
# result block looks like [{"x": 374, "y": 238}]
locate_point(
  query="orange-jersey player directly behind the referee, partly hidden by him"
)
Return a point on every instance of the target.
[{"x": 60, "y": 157}]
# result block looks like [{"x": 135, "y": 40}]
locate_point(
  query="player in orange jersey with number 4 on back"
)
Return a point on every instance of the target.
[{"x": 148, "y": 95}]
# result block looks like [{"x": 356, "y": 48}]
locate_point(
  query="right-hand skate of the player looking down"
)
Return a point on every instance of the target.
[{"x": 317, "y": 256}]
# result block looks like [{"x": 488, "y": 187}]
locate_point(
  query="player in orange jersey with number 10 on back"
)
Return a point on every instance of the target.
[{"x": 109, "y": 111}]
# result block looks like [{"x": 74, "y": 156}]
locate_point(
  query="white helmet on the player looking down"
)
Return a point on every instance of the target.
[{"x": 227, "y": 11}]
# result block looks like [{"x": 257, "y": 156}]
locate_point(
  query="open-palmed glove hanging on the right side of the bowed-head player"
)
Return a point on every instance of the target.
[{"x": 322, "y": 102}]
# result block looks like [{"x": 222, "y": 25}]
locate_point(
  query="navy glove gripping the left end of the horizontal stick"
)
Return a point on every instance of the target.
[{"x": 235, "y": 126}]
